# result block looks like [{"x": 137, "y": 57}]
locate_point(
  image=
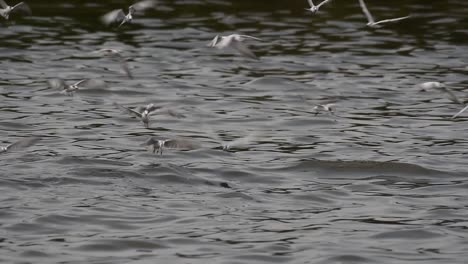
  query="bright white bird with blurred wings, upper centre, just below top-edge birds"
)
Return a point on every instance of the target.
[{"x": 234, "y": 41}]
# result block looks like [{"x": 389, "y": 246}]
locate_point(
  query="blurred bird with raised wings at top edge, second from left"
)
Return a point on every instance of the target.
[{"x": 118, "y": 15}]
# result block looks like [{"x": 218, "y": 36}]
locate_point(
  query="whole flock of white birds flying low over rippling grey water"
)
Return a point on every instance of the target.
[{"x": 235, "y": 41}]
